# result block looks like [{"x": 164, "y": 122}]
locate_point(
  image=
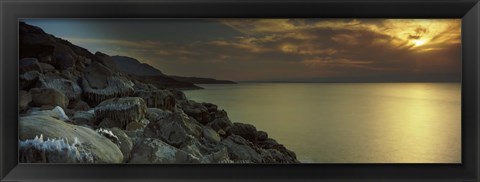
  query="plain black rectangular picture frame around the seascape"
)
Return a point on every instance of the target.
[{"x": 467, "y": 10}]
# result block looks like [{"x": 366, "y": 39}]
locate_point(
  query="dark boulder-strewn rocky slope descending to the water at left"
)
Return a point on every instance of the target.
[{"x": 76, "y": 106}]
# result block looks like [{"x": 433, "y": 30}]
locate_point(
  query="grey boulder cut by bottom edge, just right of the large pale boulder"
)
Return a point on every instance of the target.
[{"x": 155, "y": 151}]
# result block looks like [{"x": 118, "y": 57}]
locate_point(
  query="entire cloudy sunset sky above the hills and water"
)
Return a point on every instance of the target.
[{"x": 298, "y": 50}]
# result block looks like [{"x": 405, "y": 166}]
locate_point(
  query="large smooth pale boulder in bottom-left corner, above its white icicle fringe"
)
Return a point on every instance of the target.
[{"x": 101, "y": 148}]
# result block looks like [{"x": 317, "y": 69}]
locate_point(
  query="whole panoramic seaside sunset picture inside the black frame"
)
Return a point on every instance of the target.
[{"x": 239, "y": 91}]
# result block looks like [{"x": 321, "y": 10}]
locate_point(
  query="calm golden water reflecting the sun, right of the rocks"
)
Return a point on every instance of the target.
[{"x": 350, "y": 122}]
